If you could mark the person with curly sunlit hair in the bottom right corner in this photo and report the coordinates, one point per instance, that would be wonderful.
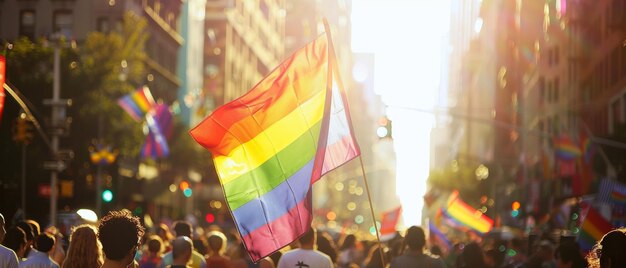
(609, 251)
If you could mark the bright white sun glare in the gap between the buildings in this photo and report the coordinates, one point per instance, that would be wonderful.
(408, 39)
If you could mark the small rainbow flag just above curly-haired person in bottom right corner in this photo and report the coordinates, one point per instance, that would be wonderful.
(594, 226)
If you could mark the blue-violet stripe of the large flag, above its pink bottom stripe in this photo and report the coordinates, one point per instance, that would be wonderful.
(288, 194)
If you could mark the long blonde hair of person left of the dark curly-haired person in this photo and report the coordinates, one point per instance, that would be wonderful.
(85, 249)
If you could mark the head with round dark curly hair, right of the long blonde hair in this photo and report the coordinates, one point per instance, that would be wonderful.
(120, 234)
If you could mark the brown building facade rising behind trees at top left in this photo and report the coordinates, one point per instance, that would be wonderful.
(75, 19)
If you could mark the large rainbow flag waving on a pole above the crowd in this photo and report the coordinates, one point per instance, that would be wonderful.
(271, 144)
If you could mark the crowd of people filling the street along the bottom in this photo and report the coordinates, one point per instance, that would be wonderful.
(119, 240)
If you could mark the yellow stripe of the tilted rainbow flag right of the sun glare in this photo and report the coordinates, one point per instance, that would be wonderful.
(464, 214)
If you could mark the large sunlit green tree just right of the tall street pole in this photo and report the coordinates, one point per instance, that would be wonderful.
(112, 65)
